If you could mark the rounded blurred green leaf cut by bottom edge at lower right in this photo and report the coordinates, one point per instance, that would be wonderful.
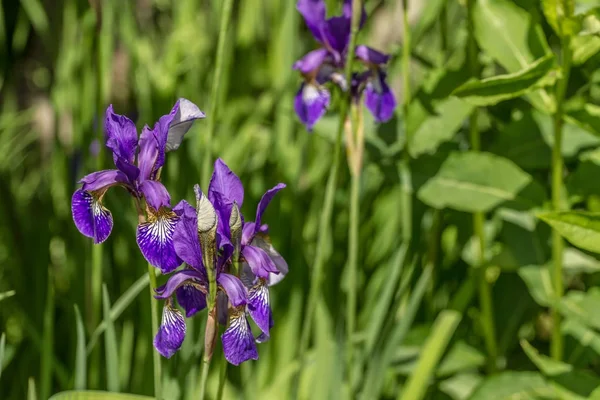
(511, 385)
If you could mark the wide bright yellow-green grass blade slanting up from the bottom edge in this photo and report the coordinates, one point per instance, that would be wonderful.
(441, 333)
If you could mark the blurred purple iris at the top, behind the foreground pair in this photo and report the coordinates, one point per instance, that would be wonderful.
(327, 64)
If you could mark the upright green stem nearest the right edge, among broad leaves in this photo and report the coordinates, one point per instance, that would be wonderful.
(557, 346)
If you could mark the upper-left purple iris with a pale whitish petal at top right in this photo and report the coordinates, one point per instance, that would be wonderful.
(141, 179)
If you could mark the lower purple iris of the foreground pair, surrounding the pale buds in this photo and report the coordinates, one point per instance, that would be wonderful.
(237, 244)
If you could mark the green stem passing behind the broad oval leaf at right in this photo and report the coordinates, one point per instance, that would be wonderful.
(484, 289)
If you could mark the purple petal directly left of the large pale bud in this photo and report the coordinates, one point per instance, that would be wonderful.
(185, 237)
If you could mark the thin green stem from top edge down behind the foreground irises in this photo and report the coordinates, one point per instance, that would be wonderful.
(215, 90)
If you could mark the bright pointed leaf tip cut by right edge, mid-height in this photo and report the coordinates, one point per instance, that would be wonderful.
(580, 228)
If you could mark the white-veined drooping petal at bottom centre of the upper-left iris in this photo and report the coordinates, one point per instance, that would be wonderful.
(155, 239)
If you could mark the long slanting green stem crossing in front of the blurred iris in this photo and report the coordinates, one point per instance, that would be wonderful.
(314, 294)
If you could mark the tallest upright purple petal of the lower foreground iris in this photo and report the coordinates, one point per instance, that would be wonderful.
(225, 188)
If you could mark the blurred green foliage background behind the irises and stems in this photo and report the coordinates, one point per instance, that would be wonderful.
(62, 62)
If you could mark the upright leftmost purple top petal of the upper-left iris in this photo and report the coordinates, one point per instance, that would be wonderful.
(121, 135)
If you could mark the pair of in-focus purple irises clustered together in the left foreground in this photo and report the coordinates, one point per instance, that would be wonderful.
(228, 262)
